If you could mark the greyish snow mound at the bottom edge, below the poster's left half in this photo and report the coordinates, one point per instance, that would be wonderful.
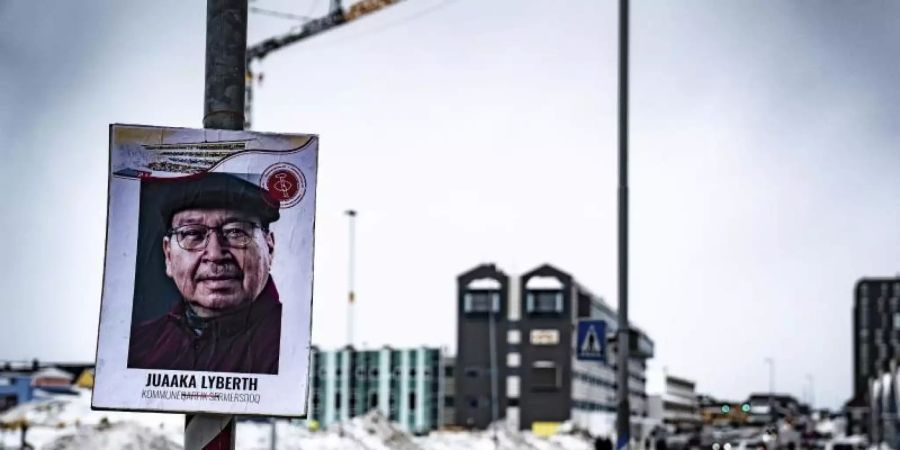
(113, 437)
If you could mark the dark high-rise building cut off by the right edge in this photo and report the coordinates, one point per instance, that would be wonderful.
(876, 342)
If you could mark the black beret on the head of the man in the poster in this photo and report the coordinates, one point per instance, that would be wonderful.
(216, 190)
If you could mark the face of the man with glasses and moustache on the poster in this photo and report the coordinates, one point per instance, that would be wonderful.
(219, 276)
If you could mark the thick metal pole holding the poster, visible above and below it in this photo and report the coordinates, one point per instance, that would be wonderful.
(223, 108)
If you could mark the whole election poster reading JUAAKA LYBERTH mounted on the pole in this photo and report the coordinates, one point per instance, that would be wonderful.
(208, 275)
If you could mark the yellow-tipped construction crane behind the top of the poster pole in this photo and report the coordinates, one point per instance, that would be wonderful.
(336, 17)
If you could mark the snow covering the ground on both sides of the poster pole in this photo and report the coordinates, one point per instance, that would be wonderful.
(64, 422)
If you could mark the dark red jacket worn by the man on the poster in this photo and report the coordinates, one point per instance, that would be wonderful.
(244, 341)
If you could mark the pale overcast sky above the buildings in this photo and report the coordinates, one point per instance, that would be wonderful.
(765, 154)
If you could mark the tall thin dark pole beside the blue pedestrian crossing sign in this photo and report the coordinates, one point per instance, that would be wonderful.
(623, 407)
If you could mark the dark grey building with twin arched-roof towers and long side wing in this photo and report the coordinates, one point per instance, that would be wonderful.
(516, 356)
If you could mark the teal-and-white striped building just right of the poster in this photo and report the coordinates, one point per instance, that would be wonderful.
(404, 384)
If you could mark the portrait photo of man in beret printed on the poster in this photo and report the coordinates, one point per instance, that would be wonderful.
(204, 296)
